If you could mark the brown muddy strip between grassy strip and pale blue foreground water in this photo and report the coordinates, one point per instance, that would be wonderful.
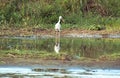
(60, 63)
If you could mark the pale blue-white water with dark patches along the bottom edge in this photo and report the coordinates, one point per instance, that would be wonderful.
(56, 72)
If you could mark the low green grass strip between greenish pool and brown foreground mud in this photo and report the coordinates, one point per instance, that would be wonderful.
(53, 56)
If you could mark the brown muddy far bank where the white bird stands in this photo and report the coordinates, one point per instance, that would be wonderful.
(20, 32)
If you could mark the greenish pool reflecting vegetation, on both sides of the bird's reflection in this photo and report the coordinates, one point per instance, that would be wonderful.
(77, 47)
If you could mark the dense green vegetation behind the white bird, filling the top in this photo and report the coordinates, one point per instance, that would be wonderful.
(90, 14)
